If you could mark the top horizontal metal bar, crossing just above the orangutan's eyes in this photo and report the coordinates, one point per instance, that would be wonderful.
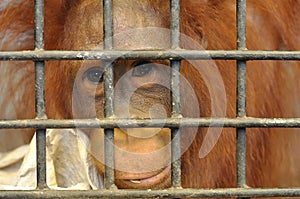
(40, 55)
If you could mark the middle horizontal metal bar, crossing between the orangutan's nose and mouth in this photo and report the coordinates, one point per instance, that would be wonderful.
(246, 122)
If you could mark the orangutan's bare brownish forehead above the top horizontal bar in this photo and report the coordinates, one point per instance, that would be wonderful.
(136, 26)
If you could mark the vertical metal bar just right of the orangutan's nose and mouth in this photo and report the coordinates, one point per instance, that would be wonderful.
(175, 95)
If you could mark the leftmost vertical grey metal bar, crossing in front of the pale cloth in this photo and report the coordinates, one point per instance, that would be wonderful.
(40, 97)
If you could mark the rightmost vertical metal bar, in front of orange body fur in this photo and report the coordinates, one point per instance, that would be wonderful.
(241, 93)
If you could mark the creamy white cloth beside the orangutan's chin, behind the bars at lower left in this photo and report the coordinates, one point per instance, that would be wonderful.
(69, 165)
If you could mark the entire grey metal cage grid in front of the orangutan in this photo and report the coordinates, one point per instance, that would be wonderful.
(39, 55)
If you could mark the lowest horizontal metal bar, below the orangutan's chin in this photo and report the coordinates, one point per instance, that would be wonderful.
(166, 193)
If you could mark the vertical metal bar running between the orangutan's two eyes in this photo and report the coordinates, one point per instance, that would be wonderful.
(109, 178)
